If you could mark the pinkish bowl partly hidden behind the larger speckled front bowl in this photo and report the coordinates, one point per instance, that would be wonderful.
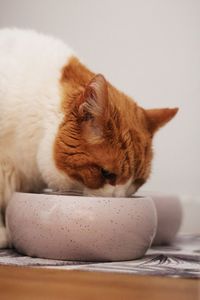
(169, 213)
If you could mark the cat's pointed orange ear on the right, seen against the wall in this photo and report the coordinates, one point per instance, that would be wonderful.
(157, 118)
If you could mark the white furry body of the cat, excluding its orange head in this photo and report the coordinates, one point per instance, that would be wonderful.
(30, 68)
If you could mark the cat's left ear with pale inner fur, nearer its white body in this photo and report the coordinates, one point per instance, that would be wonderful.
(94, 99)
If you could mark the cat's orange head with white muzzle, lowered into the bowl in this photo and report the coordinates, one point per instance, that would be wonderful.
(105, 140)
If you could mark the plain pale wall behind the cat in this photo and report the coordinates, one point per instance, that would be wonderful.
(149, 49)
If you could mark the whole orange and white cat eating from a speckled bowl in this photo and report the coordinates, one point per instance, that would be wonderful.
(64, 127)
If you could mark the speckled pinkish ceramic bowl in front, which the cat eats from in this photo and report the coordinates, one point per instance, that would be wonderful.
(81, 228)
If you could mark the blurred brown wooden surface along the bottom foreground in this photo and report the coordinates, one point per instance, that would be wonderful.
(28, 283)
